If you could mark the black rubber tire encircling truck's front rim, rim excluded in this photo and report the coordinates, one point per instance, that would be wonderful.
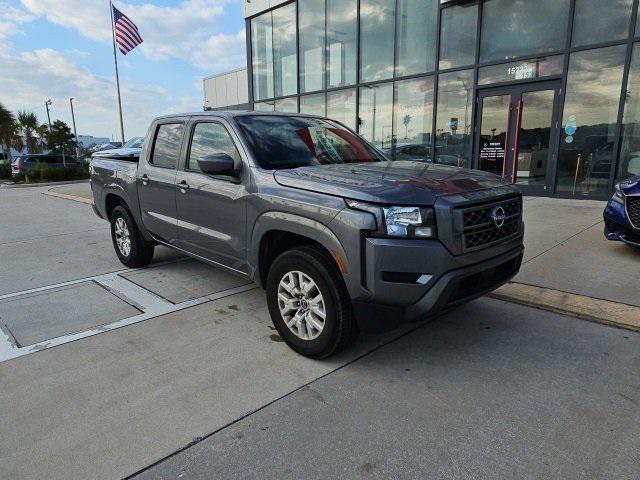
(340, 329)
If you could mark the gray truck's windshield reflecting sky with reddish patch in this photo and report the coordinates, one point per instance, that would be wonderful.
(289, 142)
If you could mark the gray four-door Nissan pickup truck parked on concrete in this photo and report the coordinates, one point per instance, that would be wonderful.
(341, 238)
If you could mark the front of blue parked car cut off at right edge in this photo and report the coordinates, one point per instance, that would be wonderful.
(622, 214)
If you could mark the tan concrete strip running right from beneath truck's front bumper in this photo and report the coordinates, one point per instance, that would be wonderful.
(595, 310)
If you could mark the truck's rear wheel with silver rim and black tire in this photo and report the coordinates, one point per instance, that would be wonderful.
(131, 248)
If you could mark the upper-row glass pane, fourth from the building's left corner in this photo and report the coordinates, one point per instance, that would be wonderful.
(342, 34)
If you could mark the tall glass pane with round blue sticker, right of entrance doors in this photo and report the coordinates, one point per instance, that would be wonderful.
(589, 120)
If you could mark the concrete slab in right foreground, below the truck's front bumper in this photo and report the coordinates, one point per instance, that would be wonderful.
(492, 390)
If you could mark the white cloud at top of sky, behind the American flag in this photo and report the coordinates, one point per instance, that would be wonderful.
(186, 31)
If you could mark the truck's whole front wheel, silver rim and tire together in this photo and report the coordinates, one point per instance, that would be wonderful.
(309, 303)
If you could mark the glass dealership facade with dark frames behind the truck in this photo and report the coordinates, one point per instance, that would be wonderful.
(545, 93)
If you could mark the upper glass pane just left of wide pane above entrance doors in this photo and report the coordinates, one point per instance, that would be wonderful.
(458, 35)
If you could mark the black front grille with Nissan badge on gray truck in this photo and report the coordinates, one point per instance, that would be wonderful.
(481, 229)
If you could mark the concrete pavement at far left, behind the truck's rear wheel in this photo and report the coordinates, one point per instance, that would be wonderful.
(66, 242)
